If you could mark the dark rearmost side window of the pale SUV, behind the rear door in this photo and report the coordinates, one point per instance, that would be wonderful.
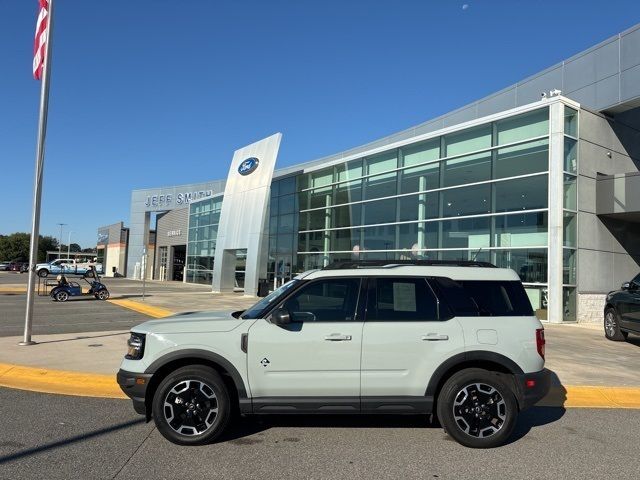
(483, 297)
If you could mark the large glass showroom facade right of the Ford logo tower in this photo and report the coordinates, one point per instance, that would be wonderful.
(480, 193)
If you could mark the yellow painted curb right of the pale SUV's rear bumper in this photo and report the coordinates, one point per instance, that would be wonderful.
(588, 396)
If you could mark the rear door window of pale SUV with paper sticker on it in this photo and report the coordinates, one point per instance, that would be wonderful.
(403, 300)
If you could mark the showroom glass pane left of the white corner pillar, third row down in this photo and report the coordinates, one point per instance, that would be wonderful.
(521, 194)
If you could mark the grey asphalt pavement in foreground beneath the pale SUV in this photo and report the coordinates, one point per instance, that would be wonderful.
(58, 437)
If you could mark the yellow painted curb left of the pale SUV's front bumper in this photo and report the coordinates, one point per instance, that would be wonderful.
(61, 382)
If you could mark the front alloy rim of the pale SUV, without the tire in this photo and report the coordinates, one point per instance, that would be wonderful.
(191, 407)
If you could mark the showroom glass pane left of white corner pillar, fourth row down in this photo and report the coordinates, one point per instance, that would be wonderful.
(521, 230)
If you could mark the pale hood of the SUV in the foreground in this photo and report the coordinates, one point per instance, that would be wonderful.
(191, 322)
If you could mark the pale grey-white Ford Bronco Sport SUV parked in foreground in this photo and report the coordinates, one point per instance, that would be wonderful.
(458, 339)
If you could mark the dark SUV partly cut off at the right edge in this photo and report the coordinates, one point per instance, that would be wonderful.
(622, 311)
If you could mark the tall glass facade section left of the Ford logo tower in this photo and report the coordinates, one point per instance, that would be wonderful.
(204, 217)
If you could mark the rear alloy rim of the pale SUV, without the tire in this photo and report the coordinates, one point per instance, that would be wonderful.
(479, 410)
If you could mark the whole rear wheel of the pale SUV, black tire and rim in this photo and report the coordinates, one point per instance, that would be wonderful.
(477, 408)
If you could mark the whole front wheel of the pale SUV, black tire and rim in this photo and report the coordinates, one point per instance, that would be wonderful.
(183, 406)
